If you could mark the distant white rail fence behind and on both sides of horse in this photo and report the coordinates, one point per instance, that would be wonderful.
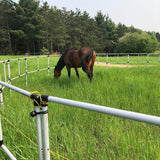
(48, 67)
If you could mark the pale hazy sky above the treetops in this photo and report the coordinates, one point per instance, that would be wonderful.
(142, 14)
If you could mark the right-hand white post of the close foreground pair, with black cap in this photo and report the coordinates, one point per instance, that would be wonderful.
(45, 127)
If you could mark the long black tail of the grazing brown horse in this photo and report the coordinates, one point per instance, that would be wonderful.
(85, 59)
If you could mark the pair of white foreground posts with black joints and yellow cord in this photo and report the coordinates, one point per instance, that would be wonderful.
(41, 108)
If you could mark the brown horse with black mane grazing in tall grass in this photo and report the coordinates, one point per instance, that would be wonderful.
(84, 57)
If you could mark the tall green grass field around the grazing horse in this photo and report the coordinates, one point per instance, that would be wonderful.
(80, 134)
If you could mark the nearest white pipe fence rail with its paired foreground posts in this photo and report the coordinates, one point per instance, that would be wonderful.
(97, 108)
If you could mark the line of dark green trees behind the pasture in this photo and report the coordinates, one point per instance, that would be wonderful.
(29, 27)
